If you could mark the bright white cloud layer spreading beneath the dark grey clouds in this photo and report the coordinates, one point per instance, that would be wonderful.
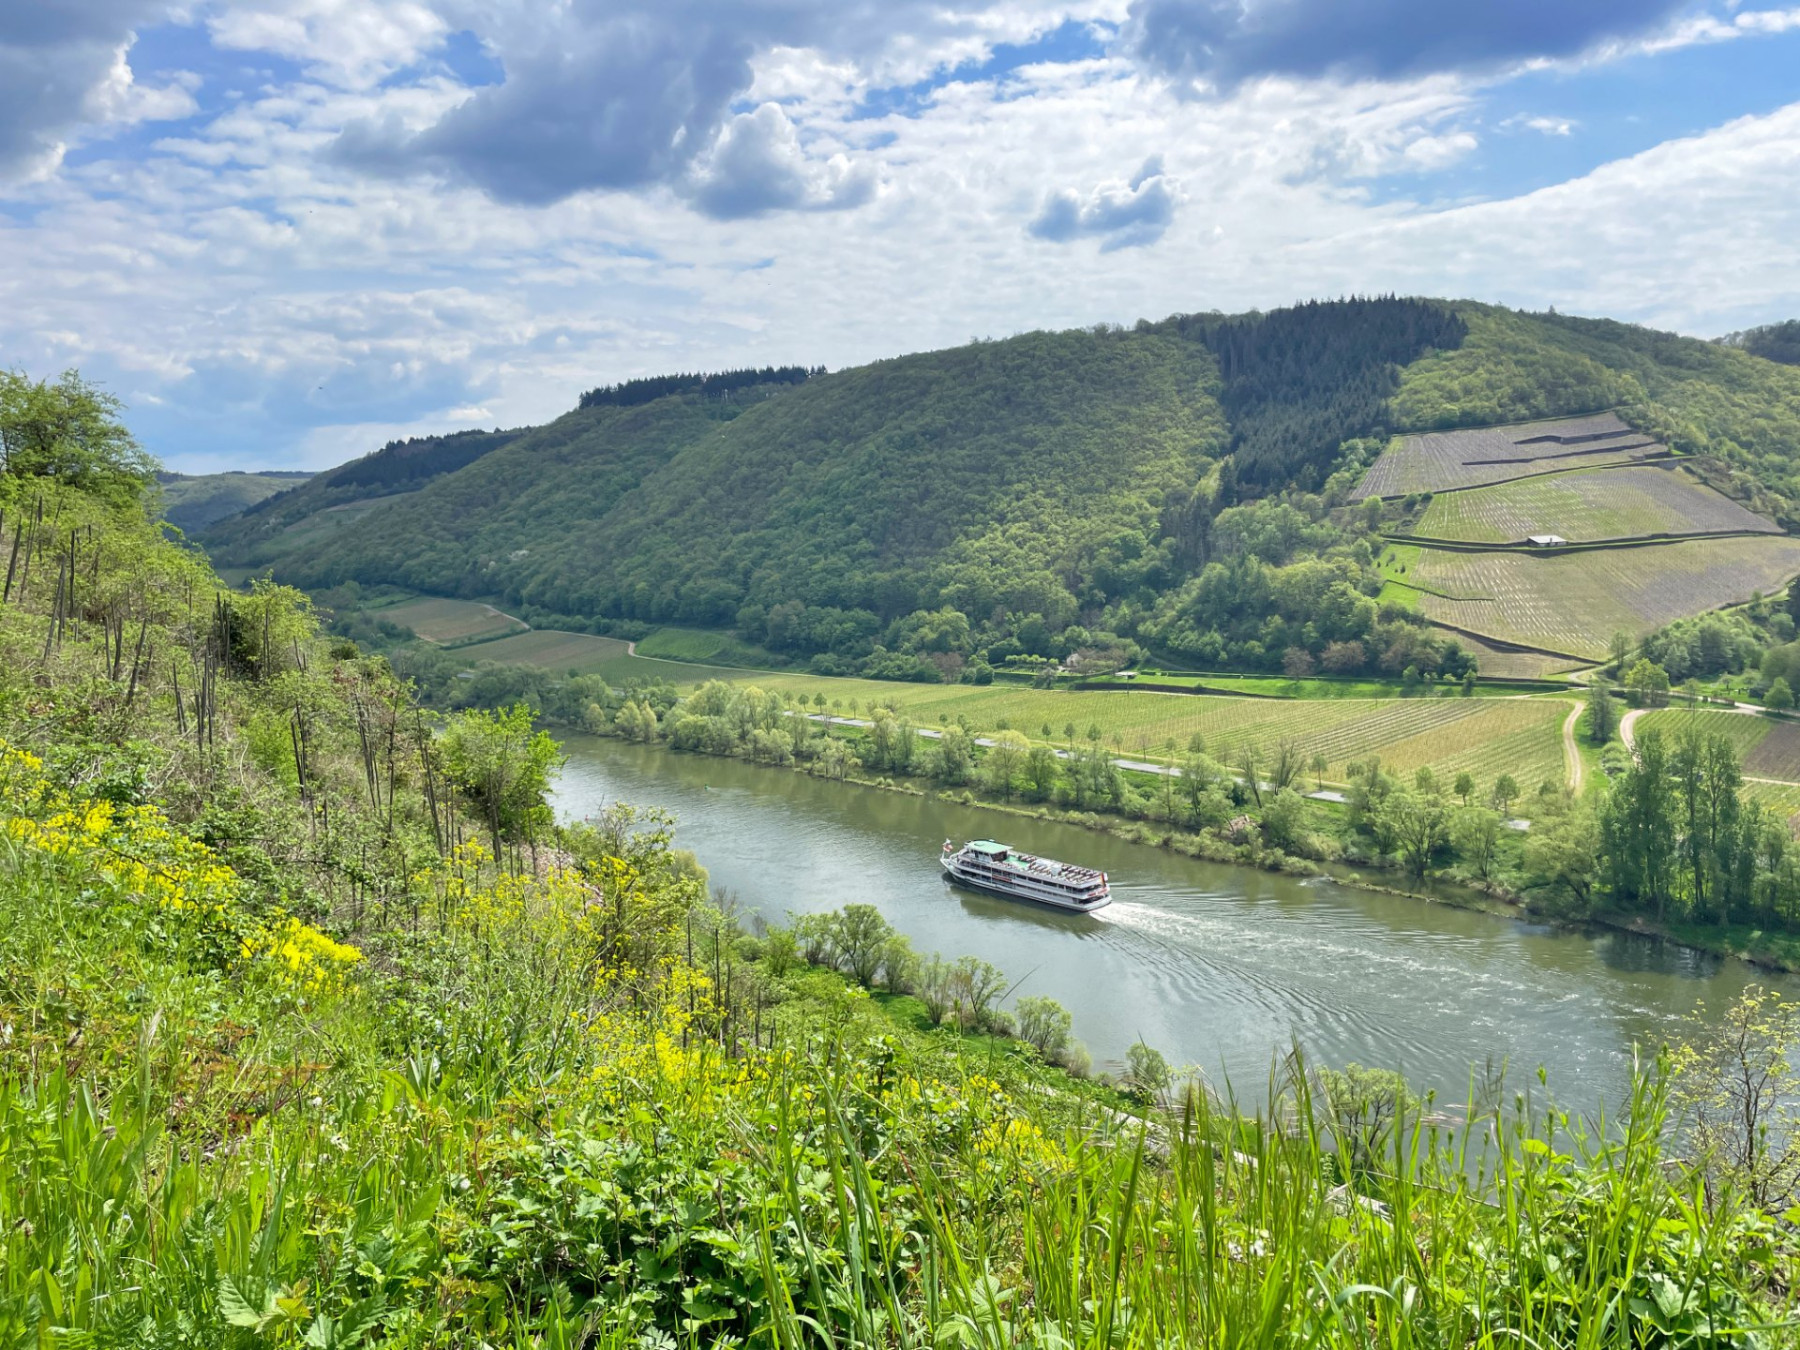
(271, 305)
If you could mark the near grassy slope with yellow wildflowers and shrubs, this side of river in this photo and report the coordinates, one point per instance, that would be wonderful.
(319, 1032)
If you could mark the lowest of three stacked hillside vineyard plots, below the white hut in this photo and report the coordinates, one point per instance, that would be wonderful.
(1574, 602)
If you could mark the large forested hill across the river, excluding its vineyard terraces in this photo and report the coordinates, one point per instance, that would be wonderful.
(1183, 485)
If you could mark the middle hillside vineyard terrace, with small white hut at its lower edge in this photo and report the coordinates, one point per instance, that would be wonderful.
(1594, 505)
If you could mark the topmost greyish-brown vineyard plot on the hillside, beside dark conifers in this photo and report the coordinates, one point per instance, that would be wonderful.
(1439, 462)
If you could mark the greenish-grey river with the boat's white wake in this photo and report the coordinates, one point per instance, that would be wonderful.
(1216, 966)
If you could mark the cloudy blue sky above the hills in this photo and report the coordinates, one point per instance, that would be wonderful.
(287, 231)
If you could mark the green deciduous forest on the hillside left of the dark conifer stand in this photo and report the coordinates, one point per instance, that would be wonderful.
(967, 478)
